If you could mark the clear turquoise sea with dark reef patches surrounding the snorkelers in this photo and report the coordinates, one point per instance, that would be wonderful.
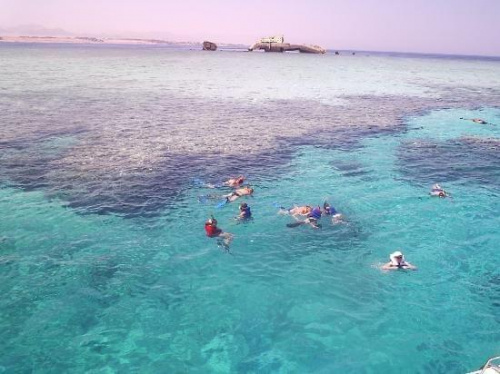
(107, 156)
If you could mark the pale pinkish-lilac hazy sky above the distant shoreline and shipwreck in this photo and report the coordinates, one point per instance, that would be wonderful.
(439, 26)
